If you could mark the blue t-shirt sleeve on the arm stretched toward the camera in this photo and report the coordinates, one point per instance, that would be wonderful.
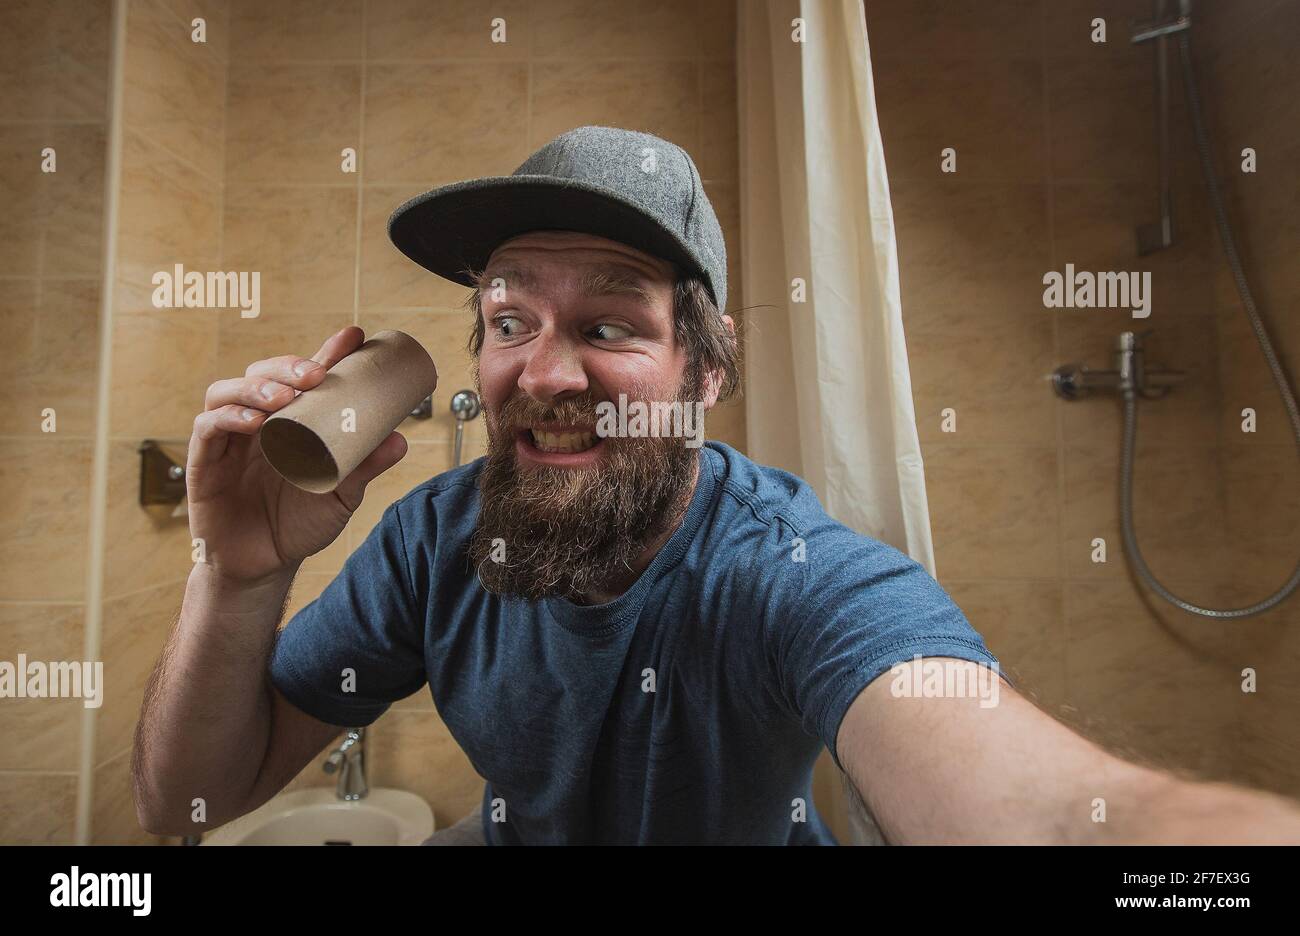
(851, 610)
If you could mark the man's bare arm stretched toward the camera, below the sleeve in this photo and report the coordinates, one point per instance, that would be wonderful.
(950, 770)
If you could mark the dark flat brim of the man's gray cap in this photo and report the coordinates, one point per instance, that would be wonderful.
(454, 229)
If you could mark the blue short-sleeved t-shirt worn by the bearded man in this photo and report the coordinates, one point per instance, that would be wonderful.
(691, 709)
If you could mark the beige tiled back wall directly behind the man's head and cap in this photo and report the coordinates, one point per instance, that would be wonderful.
(426, 98)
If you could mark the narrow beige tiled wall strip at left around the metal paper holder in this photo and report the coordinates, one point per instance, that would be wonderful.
(162, 361)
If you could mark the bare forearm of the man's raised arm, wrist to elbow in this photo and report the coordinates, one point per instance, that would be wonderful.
(206, 722)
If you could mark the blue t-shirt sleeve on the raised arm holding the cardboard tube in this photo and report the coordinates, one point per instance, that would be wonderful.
(359, 647)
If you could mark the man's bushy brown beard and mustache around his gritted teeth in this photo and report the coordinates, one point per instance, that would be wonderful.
(570, 532)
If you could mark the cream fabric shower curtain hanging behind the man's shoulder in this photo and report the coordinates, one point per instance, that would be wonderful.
(827, 385)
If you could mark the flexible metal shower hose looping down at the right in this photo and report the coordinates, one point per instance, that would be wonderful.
(1126, 471)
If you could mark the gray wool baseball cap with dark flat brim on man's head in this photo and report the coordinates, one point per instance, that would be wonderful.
(629, 187)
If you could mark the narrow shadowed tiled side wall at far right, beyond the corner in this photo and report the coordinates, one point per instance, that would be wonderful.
(1250, 80)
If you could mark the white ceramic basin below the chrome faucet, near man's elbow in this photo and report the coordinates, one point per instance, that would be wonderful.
(318, 817)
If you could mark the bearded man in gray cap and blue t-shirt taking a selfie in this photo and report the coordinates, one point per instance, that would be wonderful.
(634, 639)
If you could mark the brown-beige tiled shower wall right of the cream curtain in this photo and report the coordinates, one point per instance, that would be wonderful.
(1058, 164)
